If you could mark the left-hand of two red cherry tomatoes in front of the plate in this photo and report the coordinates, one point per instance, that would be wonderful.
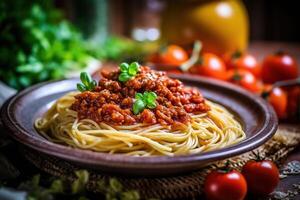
(225, 186)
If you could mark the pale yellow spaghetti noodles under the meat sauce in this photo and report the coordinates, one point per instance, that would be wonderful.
(212, 130)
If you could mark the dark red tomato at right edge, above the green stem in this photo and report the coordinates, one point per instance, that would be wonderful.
(279, 67)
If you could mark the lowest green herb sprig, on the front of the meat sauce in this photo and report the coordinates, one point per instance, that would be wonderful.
(142, 101)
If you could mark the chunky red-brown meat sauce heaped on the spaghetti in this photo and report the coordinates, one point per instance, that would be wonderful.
(111, 101)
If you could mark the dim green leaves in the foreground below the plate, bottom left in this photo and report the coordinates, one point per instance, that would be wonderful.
(58, 188)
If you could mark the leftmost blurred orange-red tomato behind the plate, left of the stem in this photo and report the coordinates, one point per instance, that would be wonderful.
(171, 55)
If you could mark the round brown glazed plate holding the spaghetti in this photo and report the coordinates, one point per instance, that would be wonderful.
(257, 117)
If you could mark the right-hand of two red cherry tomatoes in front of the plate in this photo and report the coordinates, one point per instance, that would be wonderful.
(262, 176)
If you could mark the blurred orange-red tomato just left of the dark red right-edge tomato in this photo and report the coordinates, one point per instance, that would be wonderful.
(245, 61)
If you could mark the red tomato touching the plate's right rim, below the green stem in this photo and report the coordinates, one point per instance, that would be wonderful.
(278, 98)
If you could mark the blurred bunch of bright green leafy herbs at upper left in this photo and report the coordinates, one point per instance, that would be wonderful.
(37, 44)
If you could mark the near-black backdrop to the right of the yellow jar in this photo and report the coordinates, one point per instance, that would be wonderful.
(274, 20)
